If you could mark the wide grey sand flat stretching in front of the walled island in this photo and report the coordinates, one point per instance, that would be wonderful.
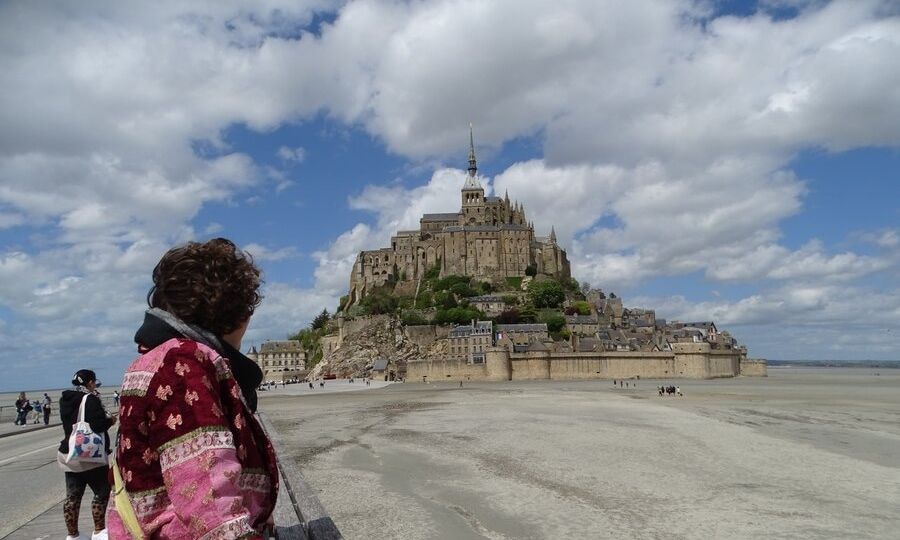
(804, 453)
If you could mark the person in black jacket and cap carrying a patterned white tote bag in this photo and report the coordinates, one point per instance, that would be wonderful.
(81, 475)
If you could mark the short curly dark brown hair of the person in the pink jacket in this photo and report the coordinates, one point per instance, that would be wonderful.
(213, 284)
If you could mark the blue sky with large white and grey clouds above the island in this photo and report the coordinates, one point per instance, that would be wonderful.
(732, 161)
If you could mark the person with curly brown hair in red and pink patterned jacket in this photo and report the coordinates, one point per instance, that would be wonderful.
(193, 459)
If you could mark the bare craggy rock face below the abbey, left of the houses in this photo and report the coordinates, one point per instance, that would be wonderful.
(371, 338)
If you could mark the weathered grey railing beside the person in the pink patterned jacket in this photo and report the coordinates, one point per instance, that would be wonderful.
(298, 512)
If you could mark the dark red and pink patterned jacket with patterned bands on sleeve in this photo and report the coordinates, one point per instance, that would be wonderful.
(194, 460)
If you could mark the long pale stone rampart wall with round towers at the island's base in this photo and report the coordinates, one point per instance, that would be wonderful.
(686, 361)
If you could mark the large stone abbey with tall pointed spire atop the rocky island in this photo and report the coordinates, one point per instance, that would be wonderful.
(489, 238)
